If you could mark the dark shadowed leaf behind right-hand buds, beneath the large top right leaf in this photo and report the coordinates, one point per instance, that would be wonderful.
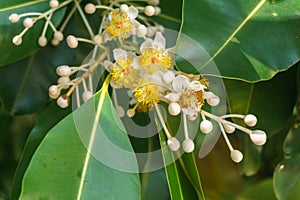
(262, 99)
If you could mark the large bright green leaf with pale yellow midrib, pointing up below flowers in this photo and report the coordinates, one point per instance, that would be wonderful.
(66, 167)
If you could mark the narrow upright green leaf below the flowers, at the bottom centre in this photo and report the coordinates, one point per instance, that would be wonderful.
(181, 170)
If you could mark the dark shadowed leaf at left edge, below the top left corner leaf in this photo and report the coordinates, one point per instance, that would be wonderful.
(24, 84)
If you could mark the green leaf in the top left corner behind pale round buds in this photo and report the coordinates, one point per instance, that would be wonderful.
(9, 52)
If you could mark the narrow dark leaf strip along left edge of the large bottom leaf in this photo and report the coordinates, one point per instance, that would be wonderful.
(50, 117)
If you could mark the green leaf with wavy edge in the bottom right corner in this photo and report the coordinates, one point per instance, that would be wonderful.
(287, 173)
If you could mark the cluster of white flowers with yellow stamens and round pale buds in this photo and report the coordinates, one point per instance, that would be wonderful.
(142, 64)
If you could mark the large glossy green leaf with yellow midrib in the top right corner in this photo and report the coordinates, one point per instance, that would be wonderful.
(249, 40)
